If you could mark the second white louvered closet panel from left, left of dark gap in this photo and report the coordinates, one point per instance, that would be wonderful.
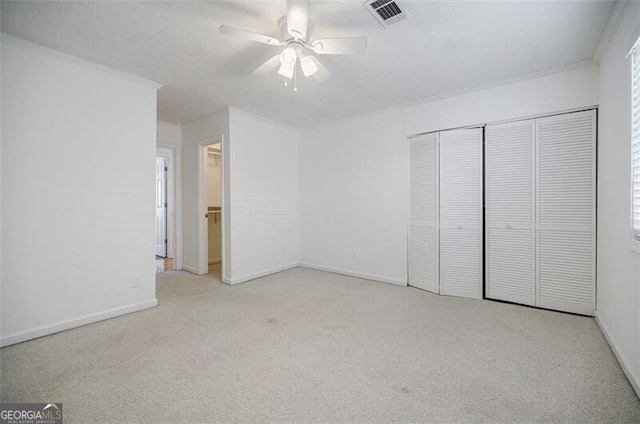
(461, 213)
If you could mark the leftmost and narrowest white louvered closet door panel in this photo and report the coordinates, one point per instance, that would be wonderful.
(423, 213)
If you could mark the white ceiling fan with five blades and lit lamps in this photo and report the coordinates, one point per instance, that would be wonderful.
(298, 48)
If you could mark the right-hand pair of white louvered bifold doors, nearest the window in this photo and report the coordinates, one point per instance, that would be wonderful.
(540, 212)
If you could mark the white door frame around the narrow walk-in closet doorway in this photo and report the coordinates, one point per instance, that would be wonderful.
(202, 225)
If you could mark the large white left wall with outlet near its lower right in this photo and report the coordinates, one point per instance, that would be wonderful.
(78, 153)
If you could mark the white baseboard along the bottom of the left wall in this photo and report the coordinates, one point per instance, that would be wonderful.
(73, 323)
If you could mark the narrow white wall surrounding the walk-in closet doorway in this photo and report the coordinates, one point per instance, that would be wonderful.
(204, 130)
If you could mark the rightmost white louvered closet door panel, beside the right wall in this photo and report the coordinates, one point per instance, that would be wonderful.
(566, 212)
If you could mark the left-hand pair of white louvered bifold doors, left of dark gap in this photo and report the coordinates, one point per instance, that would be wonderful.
(445, 212)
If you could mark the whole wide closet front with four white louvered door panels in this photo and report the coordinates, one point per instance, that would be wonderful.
(534, 242)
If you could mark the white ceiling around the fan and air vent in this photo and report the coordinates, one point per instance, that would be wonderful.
(445, 47)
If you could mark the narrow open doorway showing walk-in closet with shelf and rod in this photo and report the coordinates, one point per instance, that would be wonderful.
(210, 205)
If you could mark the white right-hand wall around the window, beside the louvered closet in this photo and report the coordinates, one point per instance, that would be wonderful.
(618, 290)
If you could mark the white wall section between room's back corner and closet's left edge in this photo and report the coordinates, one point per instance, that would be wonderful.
(353, 197)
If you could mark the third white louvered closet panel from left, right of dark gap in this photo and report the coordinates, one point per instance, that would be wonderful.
(509, 212)
